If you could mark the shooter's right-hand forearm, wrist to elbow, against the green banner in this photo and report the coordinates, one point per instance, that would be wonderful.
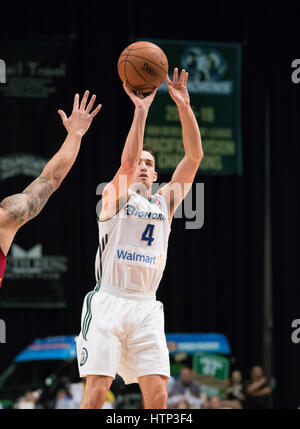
(190, 133)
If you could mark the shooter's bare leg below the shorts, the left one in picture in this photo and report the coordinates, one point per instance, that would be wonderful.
(96, 388)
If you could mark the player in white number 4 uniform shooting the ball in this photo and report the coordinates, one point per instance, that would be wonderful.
(122, 326)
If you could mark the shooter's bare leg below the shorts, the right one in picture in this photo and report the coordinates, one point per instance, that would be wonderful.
(154, 391)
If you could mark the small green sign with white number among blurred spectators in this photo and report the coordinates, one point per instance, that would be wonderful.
(212, 372)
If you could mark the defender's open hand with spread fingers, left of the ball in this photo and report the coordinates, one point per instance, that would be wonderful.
(81, 118)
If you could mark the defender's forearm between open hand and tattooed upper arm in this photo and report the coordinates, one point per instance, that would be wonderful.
(61, 163)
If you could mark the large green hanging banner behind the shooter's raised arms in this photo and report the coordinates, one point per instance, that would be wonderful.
(214, 85)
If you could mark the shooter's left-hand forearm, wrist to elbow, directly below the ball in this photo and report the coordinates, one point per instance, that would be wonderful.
(134, 141)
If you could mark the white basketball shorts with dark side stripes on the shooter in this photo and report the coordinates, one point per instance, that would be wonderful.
(122, 334)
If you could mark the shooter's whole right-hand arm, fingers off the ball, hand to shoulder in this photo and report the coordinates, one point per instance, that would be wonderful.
(183, 177)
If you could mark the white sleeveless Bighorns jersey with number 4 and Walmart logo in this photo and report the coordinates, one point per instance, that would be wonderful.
(133, 245)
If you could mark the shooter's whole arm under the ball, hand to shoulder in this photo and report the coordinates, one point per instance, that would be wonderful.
(115, 193)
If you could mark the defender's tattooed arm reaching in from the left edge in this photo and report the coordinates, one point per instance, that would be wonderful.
(18, 209)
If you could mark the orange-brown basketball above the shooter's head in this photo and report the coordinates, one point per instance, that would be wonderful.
(143, 66)
